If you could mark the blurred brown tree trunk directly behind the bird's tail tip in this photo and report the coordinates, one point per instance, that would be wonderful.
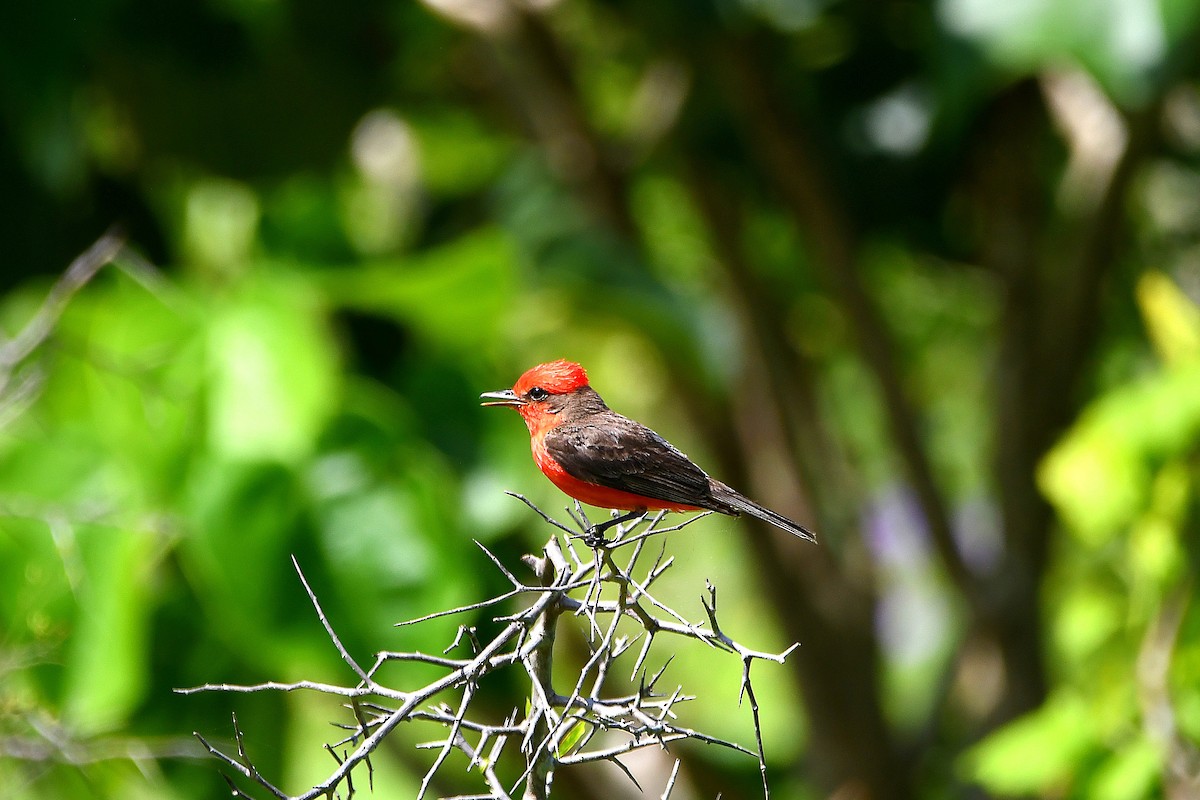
(850, 747)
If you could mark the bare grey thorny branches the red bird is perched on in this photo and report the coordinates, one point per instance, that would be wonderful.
(604, 585)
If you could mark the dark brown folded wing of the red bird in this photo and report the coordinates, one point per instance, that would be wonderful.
(614, 452)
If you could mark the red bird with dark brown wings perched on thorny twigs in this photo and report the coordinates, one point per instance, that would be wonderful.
(607, 460)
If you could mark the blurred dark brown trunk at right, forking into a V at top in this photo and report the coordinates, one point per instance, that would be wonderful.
(1048, 329)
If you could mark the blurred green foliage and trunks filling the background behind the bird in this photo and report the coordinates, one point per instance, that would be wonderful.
(746, 218)
